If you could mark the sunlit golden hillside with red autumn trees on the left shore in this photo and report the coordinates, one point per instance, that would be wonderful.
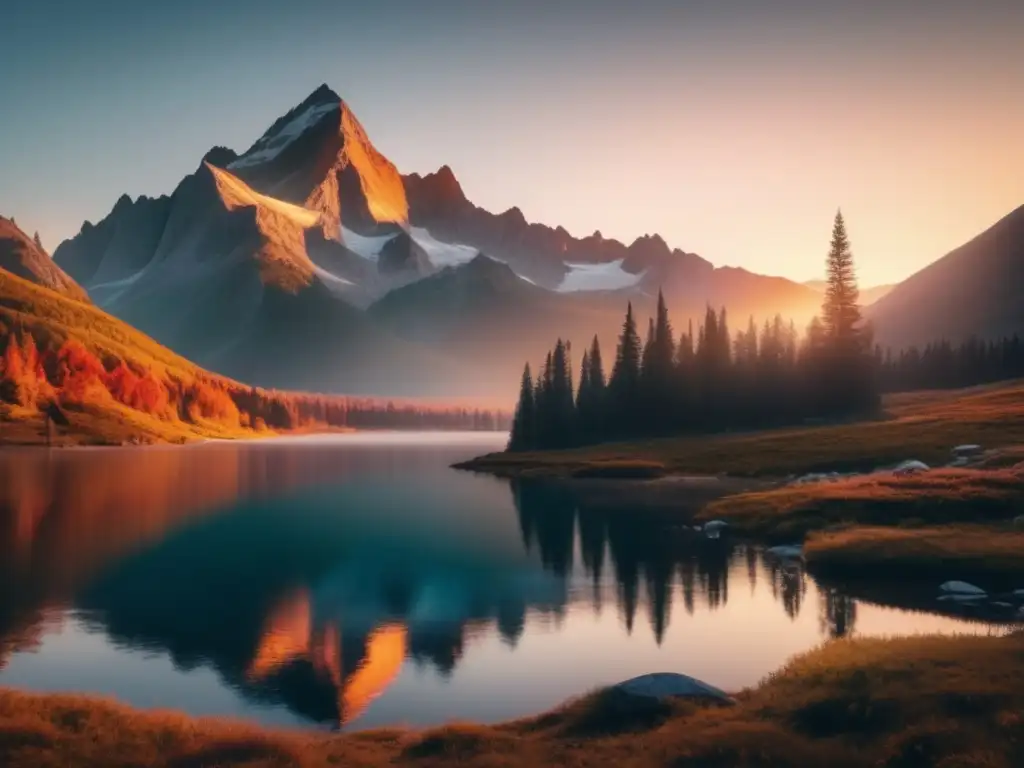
(115, 385)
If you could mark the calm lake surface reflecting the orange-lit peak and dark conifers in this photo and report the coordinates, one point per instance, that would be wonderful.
(357, 581)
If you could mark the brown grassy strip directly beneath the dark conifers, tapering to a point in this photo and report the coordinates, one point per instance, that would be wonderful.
(924, 426)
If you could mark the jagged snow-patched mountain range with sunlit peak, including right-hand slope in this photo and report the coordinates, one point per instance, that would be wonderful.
(310, 263)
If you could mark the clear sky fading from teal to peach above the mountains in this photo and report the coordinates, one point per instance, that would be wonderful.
(734, 129)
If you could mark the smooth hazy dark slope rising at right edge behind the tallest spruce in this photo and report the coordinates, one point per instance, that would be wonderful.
(976, 290)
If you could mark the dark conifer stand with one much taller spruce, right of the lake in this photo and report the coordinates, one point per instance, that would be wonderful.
(708, 379)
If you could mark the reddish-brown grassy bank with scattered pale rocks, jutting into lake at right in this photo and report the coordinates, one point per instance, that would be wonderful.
(952, 524)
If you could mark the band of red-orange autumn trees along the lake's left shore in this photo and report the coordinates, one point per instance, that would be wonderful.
(69, 374)
